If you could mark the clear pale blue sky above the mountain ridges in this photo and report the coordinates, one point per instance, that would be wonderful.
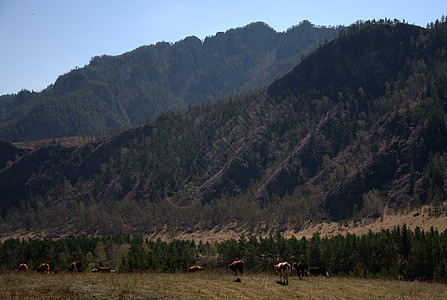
(42, 39)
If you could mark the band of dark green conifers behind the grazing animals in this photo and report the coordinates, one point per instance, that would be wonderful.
(413, 255)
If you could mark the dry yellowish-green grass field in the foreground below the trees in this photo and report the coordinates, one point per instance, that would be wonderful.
(206, 285)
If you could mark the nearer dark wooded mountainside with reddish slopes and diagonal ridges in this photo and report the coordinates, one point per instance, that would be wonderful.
(356, 127)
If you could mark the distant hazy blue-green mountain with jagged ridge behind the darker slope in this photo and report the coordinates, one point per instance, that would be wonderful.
(127, 90)
